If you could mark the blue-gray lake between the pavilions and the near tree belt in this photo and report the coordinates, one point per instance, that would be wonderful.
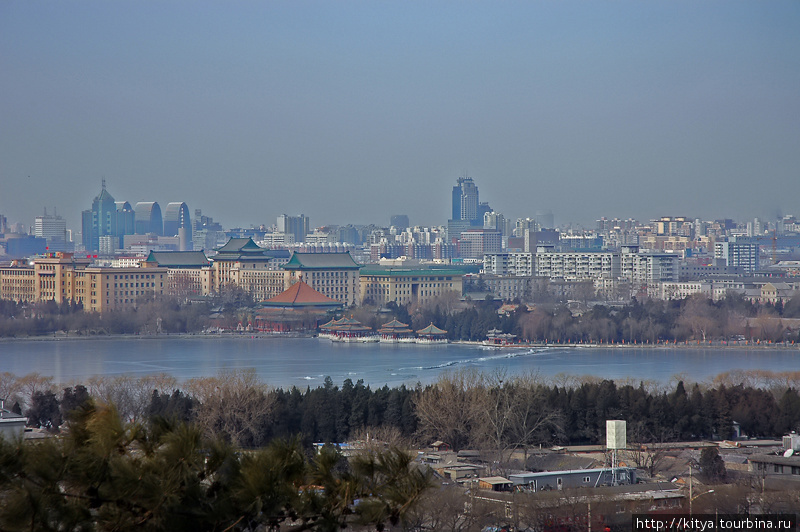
(286, 362)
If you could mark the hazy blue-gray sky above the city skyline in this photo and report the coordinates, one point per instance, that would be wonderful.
(352, 111)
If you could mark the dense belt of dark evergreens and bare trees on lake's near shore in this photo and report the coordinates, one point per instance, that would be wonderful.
(465, 409)
